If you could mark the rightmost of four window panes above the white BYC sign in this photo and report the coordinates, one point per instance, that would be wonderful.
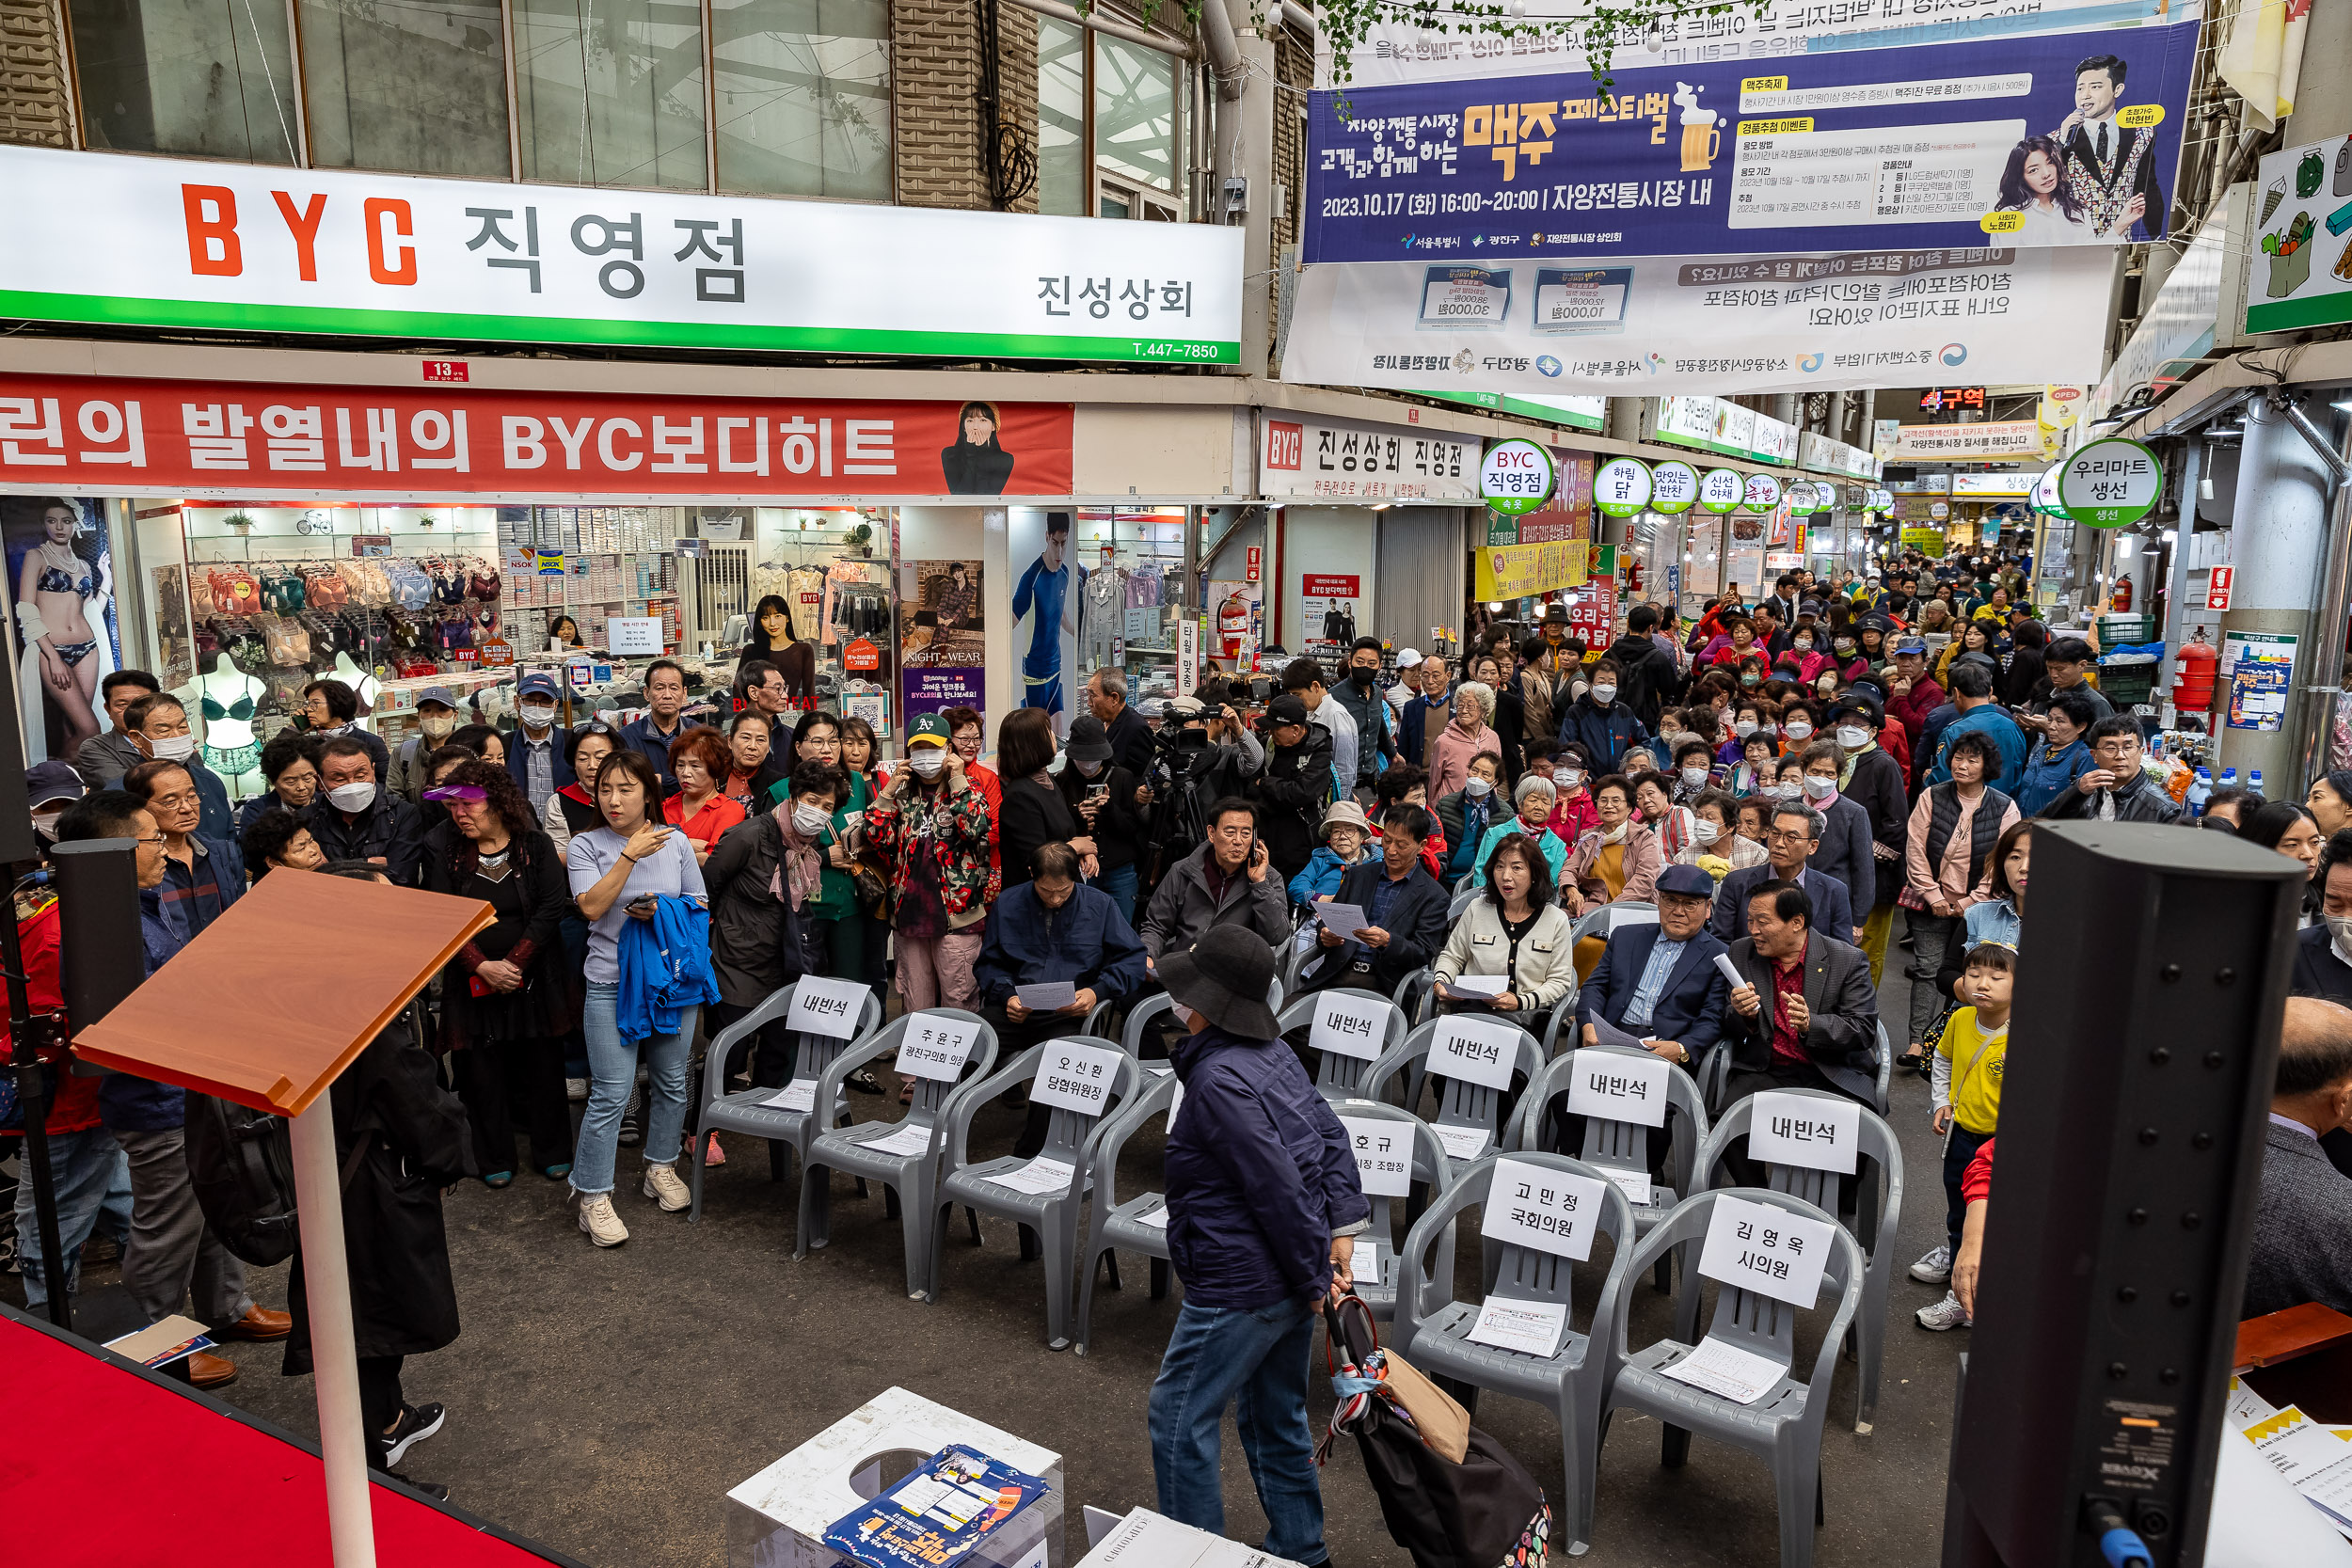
(803, 98)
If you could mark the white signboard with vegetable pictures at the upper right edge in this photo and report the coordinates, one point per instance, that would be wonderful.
(2299, 257)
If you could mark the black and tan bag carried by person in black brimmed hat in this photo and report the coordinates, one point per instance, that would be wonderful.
(1450, 1494)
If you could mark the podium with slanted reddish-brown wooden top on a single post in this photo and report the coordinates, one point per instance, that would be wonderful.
(267, 1010)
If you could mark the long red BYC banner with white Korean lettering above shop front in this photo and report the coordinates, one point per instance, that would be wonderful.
(206, 438)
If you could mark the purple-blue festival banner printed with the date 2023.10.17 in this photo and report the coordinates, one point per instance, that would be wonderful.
(2054, 140)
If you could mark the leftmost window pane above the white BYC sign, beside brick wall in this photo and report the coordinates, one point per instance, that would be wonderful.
(208, 79)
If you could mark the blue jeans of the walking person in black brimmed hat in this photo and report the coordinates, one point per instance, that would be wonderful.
(1257, 1358)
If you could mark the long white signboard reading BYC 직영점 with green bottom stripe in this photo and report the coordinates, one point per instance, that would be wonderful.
(213, 246)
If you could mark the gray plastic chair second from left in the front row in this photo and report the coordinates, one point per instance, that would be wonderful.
(909, 1179)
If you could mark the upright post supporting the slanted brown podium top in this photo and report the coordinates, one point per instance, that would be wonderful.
(335, 1360)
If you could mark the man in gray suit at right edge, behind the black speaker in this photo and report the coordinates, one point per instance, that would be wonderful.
(2304, 1226)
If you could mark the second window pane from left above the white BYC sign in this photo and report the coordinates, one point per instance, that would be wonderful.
(415, 88)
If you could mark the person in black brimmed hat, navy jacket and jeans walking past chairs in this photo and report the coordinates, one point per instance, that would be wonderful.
(1264, 1207)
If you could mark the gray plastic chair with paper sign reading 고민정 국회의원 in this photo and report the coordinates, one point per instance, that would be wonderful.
(1577, 1376)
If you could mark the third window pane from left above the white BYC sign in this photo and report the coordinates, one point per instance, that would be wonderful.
(610, 98)
